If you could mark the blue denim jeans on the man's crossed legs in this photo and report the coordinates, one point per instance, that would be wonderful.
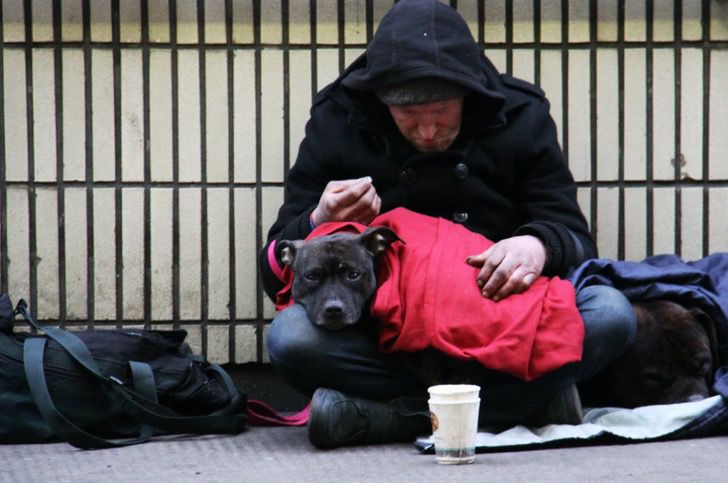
(308, 357)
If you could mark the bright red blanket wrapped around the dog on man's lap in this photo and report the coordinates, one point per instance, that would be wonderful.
(428, 297)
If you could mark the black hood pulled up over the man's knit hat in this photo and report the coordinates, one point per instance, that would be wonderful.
(421, 38)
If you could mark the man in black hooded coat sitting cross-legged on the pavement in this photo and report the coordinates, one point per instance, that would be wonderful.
(423, 120)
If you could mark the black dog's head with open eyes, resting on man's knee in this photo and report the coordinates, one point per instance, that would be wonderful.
(334, 275)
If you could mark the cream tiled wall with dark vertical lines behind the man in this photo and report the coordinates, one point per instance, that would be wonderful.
(144, 143)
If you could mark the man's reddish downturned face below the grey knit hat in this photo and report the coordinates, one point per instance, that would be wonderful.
(430, 127)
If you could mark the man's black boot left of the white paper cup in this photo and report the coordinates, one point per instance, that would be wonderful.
(336, 420)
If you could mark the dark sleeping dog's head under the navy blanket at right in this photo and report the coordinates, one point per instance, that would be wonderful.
(672, 359)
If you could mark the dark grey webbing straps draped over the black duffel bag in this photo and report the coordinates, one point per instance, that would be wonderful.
(137, 402)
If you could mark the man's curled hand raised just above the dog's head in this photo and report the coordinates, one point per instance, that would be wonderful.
(348, 200)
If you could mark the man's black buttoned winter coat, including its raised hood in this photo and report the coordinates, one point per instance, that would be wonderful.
(504, 175)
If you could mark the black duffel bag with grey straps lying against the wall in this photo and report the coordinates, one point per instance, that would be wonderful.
(108, 388)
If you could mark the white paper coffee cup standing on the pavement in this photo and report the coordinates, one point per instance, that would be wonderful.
(454, 412)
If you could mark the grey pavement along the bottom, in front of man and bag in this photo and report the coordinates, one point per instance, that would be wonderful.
(283, 454)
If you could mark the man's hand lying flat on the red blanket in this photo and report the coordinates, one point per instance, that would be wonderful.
(510, 266)
